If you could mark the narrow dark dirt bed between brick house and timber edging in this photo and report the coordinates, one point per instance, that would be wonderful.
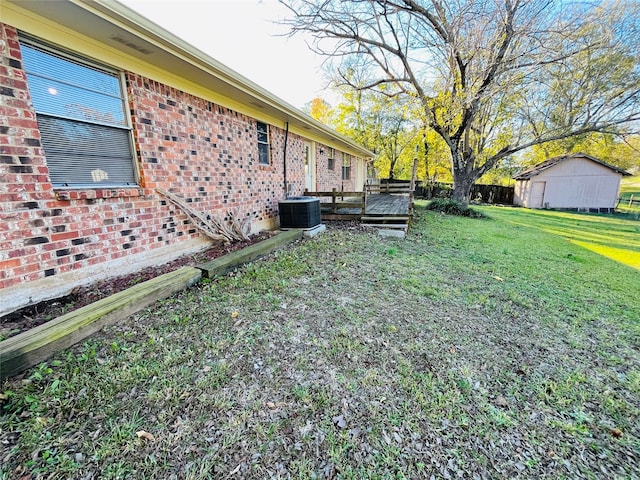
(34, 315)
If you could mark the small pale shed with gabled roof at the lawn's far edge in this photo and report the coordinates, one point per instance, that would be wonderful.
(575, 181)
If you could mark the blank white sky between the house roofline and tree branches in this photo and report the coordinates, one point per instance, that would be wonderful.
(241, 34)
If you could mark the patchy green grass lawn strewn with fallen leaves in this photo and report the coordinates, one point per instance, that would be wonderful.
(505, 347)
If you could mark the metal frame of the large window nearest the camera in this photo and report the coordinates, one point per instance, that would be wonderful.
(66, 55)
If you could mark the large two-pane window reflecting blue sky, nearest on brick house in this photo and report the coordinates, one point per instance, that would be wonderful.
(80, 109)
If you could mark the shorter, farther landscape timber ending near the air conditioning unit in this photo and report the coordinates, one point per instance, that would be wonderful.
(222, 265)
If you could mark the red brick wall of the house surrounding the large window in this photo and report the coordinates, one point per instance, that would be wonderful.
(205, 153)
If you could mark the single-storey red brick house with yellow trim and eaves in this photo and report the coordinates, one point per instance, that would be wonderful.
(99, 108)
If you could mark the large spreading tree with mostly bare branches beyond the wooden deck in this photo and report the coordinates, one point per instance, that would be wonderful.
(492, 77)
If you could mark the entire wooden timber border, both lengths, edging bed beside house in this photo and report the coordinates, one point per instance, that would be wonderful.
(37, 344)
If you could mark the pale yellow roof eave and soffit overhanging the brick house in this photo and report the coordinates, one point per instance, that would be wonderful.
(116, 25)
